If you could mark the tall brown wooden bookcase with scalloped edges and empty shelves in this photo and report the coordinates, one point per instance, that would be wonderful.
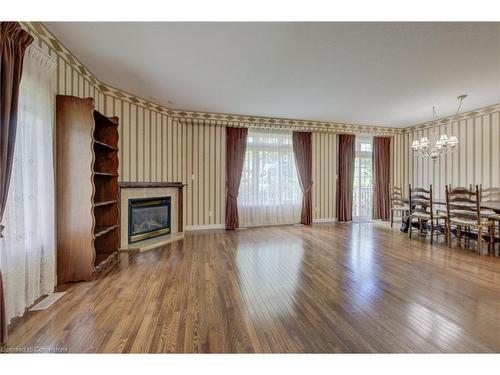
(88, 211)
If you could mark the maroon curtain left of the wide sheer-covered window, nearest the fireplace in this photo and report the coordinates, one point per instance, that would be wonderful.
(236, 145)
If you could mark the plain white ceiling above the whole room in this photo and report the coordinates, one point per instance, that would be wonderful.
(388, 74)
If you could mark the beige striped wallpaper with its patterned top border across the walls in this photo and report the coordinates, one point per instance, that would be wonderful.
(158, 144)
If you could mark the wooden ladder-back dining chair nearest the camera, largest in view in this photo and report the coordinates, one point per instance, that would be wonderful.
(463, 207)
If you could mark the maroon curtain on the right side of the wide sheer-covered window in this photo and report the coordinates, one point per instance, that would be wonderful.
(302, 151)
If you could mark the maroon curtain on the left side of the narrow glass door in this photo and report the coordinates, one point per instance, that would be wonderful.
(345, 180)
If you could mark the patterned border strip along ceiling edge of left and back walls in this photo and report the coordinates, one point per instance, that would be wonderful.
(46, 37)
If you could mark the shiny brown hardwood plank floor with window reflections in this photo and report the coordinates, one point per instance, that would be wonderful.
(325, 288)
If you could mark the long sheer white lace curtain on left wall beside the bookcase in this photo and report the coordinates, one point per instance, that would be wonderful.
(27, 253)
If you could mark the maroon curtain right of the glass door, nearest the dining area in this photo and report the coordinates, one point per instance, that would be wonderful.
(381, 176)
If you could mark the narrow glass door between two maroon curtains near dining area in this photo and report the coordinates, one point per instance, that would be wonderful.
(363, 181)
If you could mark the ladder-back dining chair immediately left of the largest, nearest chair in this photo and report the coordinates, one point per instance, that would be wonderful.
(421, 208)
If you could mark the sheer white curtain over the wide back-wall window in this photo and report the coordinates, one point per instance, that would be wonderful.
(269, 190)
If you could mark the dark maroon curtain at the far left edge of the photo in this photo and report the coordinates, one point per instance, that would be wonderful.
(13, 44)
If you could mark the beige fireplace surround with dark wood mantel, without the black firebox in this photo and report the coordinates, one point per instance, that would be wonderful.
(133, 190)
